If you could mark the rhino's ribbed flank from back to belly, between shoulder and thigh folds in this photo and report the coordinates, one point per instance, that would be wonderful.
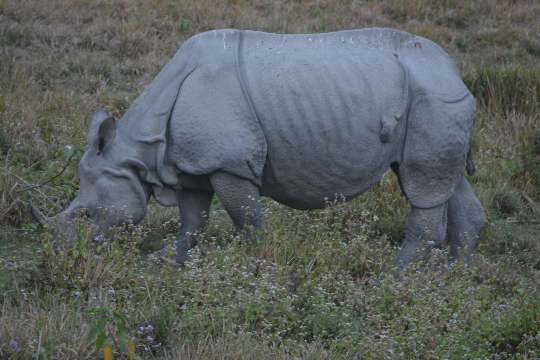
(320, 99)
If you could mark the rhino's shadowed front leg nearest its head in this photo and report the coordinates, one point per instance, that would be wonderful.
(194, 210)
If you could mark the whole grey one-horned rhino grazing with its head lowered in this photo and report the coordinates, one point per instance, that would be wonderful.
(297, 118)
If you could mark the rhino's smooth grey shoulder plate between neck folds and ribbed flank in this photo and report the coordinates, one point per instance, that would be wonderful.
(212, 126)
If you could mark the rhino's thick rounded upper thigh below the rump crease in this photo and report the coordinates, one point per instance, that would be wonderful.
(435, 149)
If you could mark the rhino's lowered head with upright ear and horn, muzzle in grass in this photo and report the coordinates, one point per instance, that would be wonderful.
(111, 192)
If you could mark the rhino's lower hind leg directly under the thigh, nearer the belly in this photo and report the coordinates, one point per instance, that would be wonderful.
(426, 228)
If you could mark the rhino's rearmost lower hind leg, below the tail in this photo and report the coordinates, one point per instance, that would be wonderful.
(466, 218)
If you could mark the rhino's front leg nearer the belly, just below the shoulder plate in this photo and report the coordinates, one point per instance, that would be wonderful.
(241, 199)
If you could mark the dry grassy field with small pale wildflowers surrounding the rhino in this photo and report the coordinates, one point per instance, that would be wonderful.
(319, 284)
